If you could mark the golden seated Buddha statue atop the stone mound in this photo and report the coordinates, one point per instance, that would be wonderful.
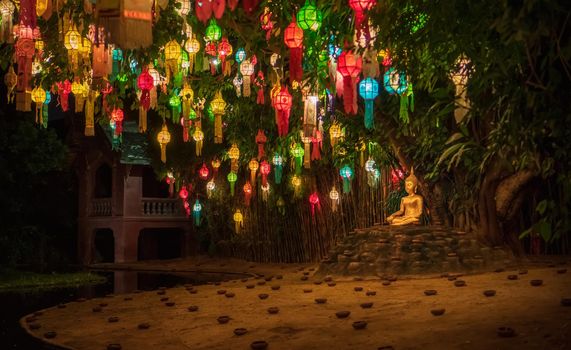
(410, 206)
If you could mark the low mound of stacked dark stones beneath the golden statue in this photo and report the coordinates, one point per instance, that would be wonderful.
(383, 249)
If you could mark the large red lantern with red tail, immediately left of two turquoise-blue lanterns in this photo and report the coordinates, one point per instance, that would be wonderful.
(349, 66)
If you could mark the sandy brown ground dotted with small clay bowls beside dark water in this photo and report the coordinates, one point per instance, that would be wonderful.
(399, 317)
